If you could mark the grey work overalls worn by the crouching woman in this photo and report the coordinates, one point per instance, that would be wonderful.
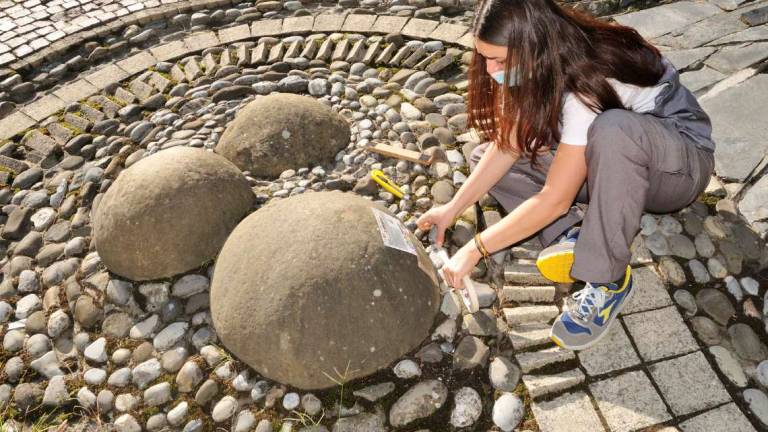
(658, 161)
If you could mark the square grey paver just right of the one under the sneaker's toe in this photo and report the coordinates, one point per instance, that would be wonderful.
(660, 334)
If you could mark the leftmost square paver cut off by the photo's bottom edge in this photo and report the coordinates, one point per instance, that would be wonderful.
(572, 412)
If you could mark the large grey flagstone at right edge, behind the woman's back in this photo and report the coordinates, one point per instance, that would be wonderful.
(737, 123)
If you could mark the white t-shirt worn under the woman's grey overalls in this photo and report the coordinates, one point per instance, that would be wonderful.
(576, 117)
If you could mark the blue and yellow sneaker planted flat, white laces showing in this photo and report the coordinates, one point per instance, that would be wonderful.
(595, 308)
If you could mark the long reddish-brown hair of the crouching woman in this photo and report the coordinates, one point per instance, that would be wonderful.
(556, 50)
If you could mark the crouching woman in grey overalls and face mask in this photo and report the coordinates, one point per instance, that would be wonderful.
(576, 110)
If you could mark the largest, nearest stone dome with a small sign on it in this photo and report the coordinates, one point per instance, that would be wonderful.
(306, 287)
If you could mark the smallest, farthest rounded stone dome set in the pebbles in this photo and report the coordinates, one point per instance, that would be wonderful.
(283, 131)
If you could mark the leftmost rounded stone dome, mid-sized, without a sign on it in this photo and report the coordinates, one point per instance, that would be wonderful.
(169, 213)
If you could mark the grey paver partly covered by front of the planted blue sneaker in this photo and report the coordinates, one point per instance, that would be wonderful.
(614, 352)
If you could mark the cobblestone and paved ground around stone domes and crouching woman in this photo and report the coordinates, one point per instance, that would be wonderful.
(90, 88)
